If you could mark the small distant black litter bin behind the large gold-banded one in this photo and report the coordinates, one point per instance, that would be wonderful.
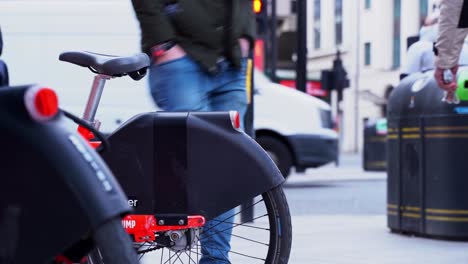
(375, 140)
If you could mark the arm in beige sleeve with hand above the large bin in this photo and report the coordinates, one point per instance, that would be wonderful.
(449, 42)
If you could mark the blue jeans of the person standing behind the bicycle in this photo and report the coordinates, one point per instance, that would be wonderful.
(182, 85)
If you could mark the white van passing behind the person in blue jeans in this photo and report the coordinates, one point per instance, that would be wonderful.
(295, 128)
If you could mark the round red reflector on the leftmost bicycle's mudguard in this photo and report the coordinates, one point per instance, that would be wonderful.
(41, 103)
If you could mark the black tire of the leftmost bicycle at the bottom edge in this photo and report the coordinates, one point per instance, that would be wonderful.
(113, 245)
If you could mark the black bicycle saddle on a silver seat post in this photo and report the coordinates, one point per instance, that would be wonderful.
(135, 66)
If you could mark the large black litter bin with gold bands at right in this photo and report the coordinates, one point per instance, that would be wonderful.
(427, 159)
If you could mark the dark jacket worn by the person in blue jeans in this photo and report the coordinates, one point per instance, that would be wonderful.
(198, 26)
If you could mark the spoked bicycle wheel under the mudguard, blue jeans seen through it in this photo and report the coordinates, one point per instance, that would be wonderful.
(265, 238)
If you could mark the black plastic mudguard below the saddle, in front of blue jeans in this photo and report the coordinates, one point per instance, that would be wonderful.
(188, 163)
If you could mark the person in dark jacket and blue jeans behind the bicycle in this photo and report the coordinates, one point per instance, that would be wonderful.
(199, 51)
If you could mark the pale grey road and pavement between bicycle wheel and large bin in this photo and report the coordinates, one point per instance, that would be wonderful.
(338, 216)
